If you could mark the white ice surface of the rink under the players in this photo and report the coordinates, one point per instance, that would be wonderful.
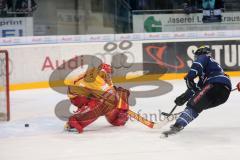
(214, 135)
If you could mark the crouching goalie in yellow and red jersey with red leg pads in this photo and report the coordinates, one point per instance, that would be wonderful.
(94, 95)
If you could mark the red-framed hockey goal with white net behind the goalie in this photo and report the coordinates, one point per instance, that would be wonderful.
(4, 86)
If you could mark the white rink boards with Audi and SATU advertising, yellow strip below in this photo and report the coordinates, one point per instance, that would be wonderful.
(135, 57)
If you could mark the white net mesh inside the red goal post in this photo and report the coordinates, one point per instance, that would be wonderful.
(3, 87)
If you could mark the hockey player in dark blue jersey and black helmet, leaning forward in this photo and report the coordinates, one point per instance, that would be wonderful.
(212, 89)
